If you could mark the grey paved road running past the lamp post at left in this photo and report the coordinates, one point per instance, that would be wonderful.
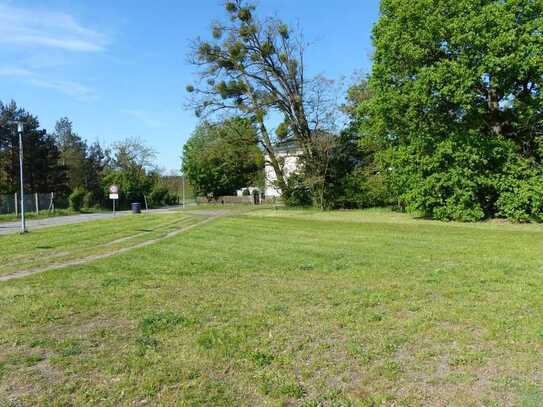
(33, 224)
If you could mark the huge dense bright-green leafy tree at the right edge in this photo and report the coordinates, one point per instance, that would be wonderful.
(455, 113)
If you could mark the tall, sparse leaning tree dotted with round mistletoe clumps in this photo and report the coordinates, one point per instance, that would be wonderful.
(252, 67)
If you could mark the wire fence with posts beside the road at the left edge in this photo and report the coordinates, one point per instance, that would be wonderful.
(34, 202)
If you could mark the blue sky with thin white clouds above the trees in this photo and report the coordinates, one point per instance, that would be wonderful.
(118, 68)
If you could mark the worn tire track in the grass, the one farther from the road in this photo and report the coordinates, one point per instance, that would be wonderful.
(83, 260)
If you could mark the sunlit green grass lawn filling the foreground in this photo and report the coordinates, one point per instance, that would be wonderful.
(279, 307)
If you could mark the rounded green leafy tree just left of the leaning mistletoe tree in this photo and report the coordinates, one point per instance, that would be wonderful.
(221, 158)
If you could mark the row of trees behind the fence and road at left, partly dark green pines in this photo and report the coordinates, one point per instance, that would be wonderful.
(65, 164)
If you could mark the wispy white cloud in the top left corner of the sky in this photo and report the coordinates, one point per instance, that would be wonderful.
(38, 28)
